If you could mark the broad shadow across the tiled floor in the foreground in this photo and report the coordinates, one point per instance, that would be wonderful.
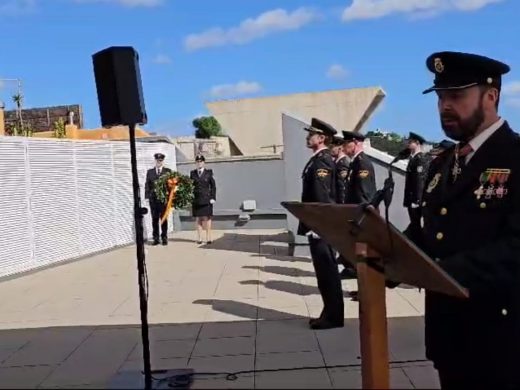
(111, 356)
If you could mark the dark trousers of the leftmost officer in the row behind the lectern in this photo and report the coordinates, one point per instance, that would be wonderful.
(329, 282)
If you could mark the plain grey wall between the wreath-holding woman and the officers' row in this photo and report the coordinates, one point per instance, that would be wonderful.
(239, 179)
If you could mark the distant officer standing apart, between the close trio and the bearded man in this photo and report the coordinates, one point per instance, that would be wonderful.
(415, 178)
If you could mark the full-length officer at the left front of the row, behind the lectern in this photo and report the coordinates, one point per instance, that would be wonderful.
(319, 185)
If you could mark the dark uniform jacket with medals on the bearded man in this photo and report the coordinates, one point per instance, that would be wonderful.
(475, 238)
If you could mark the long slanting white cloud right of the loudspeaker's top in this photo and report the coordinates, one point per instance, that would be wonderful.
(267, 23)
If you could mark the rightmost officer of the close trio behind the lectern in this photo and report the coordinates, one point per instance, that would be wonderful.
(361, 179)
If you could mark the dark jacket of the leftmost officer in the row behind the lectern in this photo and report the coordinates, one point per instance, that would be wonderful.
(319, 182)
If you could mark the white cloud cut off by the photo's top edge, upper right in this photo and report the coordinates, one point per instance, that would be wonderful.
(373, 9)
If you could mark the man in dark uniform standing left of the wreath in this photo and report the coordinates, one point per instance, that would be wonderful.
(157, 207)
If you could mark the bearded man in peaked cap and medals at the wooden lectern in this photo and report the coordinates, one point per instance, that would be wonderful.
(471, 214)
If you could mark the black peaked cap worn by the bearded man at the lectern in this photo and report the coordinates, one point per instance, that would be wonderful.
(457, 70)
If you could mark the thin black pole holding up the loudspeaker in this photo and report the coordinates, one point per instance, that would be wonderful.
(141, 267)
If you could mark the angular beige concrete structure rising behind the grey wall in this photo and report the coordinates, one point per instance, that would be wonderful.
(255, 124)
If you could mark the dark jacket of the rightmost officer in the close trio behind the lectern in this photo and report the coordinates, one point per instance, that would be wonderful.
(362, 180)
